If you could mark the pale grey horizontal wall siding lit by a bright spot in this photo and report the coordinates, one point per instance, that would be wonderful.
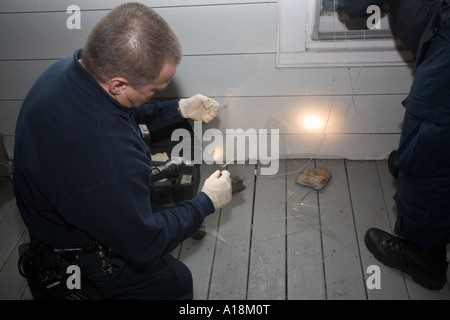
(230, 54)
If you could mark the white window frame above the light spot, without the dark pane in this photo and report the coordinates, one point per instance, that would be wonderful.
(296, 46)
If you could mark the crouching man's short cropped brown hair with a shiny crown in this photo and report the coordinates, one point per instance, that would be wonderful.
(131, 41)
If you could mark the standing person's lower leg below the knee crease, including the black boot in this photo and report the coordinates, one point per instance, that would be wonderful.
(423, 206)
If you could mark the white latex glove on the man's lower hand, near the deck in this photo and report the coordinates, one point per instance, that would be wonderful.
(218, 188)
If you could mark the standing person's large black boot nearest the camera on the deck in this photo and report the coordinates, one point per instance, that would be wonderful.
(427, 267)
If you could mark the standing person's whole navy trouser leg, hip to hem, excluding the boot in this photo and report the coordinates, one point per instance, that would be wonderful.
(423, 157)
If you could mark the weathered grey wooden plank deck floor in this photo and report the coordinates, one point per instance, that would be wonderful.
(276, 240)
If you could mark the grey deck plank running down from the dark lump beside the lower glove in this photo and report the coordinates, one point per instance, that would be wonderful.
(230, 270)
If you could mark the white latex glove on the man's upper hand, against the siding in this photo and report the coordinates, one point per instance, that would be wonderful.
(199, 108)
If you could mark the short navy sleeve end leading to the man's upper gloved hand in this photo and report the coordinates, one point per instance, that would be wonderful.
(158, 114)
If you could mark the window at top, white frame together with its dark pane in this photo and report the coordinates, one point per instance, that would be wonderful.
(316, 33)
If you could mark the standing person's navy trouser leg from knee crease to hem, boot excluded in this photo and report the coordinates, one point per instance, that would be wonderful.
(423, 192)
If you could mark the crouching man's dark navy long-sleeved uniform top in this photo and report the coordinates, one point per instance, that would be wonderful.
(82, 170)
